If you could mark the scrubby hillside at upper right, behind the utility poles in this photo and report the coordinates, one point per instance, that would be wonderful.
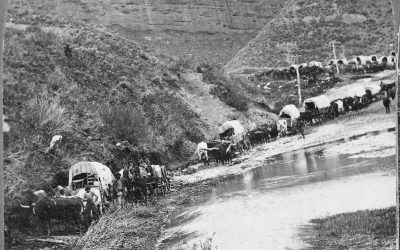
(363, 27)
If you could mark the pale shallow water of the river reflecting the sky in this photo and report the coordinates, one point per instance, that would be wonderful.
(266, 208)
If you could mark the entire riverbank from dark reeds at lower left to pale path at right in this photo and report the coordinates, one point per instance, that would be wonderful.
(140, 227)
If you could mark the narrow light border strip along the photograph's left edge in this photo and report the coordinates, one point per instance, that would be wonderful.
(3, 12)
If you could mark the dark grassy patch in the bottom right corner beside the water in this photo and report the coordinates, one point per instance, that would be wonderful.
(369, 229)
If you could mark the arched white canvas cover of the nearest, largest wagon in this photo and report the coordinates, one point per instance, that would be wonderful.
(102, 171)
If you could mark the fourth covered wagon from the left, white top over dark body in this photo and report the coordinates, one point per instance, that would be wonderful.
(319, 107)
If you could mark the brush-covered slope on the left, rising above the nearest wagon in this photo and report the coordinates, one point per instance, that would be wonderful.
(108, 91)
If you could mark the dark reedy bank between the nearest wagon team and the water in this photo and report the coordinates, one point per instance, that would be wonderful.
(139, 227)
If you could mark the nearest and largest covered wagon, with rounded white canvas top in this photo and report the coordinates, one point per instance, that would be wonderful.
(93, 174)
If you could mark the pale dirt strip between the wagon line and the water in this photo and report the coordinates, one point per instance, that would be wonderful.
(370, 119)
